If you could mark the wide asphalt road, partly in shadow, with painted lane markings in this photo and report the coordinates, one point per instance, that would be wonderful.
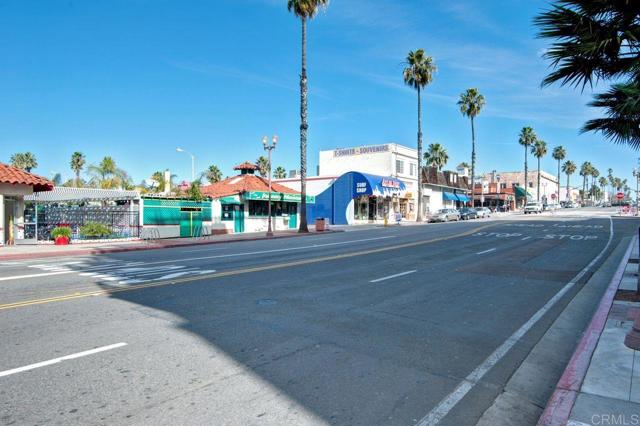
(375, 327)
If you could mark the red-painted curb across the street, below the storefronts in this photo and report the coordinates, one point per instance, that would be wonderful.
(159, 246)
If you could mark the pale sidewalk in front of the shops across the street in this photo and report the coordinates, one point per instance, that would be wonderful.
(22, 252)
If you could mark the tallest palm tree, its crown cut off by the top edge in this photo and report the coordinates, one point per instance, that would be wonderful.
(304, 10)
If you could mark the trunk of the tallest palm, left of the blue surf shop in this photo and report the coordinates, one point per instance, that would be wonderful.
(304, 127)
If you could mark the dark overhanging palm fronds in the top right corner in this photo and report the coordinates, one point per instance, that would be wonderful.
(598, 40)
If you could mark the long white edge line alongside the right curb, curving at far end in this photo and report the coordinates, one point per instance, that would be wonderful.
(446, 405)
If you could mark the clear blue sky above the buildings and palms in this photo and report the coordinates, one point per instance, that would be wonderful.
(134, 79)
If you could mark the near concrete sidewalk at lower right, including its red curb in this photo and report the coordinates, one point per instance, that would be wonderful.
(601, 384)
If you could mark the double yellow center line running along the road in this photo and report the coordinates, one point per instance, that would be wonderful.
(79, 295)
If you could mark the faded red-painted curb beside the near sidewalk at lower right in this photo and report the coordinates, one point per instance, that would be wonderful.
(561, 403)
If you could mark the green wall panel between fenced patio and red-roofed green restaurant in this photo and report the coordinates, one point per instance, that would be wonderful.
(189, 215)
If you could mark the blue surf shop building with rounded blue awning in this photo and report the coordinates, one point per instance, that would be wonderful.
(358, 197)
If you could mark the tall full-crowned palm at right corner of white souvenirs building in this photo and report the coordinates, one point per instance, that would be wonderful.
(418, 73)
